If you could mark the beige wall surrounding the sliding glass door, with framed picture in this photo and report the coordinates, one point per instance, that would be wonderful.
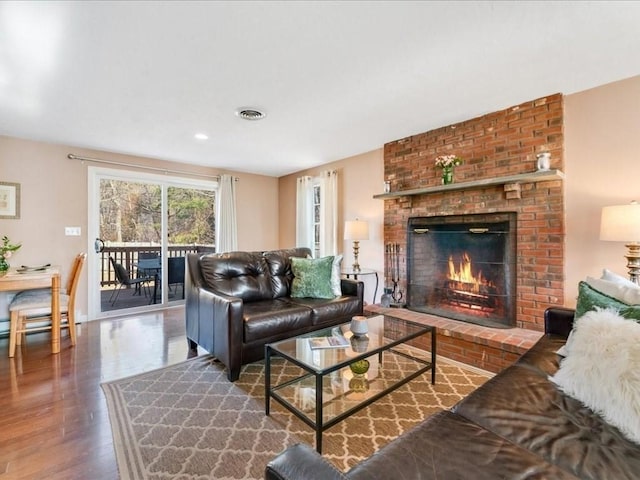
(54, 195)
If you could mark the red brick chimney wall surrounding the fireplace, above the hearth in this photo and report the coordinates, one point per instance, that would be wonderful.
(494, 145)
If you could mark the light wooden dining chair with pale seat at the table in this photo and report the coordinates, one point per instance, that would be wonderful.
(30, 311)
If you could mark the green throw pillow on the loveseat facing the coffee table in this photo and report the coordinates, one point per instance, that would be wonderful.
(312, 277)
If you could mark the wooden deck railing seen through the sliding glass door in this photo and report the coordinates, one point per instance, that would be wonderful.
(128, 258)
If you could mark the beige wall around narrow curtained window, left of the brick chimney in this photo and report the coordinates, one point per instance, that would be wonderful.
(359, 178)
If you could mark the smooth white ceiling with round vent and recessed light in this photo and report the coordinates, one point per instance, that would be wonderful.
(335, 78)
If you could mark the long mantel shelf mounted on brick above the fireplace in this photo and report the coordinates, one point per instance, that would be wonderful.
(537, 176)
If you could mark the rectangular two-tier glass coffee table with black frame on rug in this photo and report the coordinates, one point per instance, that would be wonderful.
(323, 385)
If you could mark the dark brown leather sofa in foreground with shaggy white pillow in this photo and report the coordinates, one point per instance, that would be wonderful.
(518, 425)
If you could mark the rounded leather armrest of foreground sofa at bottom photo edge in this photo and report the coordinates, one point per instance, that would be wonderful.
(301, 462)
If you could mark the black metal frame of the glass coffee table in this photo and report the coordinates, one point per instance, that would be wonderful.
(320, 425)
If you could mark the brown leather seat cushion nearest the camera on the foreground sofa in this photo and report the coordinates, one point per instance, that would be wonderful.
(448, 446)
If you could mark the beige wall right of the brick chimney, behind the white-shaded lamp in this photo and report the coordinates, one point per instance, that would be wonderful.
(602, 128)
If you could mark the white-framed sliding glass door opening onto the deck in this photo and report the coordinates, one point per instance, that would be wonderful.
(142, 227)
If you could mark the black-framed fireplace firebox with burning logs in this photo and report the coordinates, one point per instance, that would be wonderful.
(463, 267)
